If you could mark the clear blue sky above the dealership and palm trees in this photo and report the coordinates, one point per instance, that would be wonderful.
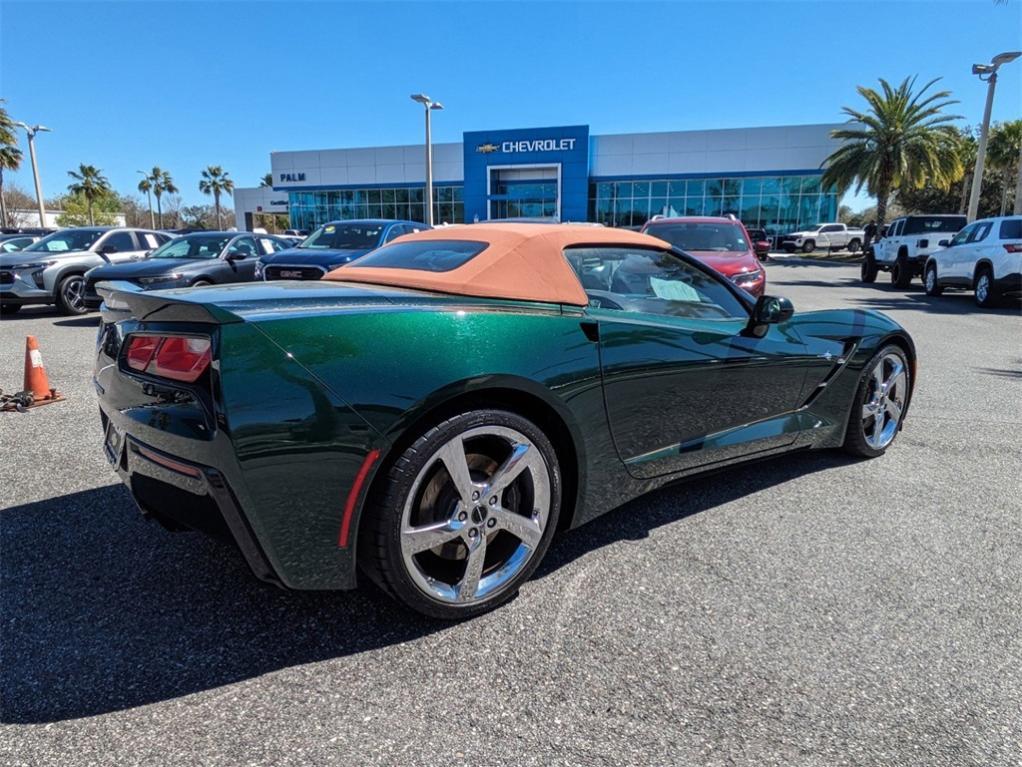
(129, 85)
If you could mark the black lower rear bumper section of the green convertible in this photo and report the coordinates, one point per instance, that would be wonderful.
(179, 493)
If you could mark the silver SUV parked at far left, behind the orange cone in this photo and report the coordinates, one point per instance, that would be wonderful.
(52, 272)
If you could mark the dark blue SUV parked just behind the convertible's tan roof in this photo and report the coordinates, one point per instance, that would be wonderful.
(332, 246)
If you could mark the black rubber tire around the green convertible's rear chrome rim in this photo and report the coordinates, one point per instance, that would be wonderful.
(380, 540)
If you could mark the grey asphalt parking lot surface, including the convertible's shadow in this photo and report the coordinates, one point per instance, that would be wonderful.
(812, 611)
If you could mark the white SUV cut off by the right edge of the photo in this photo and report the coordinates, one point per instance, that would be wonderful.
(986, 257)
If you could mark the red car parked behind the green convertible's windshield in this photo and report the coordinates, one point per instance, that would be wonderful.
(718, 242)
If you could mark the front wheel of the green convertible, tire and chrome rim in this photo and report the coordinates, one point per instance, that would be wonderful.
(879, 405)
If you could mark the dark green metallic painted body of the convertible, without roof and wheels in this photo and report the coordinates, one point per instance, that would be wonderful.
(310, 379)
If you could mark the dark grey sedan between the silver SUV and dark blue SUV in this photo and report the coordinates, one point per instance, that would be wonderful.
(199, 259)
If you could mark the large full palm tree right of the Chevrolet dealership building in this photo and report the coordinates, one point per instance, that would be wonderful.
(903, 140)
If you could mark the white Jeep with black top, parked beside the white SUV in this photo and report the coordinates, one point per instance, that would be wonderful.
(907, 246)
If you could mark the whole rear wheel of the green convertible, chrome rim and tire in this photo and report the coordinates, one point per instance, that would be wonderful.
(466, 516)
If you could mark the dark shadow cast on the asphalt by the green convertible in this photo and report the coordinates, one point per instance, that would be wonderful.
(104, 611)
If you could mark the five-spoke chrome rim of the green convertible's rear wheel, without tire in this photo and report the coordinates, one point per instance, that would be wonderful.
(476, 515)
